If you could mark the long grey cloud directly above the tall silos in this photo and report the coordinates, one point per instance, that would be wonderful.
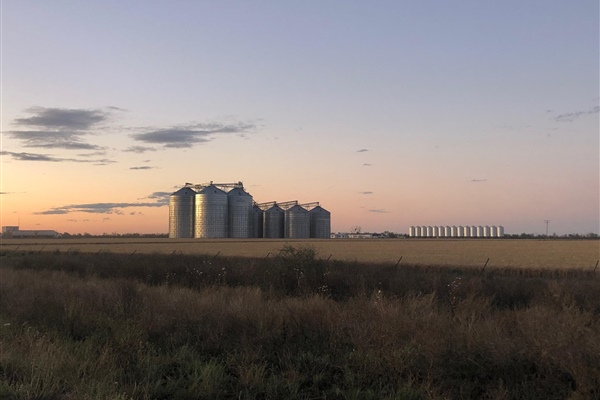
(189, 135)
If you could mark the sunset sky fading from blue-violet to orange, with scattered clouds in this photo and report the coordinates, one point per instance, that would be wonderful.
(388, 113)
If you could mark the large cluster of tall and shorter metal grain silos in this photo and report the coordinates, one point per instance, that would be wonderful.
(226, 210)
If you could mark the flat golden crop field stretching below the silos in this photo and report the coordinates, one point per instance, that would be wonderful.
(502, 253)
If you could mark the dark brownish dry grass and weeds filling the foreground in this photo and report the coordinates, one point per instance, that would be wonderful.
(147, 327)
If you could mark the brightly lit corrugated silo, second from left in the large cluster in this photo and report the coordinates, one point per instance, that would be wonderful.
(211, 213)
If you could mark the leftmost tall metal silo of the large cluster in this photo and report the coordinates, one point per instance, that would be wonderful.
(181, 213)
